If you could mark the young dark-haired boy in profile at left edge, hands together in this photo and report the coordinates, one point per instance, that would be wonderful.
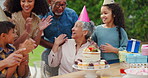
(7, 37)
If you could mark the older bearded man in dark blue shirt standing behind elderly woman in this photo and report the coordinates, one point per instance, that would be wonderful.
(62, 22)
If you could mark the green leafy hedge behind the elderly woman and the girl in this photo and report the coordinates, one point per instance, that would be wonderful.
(135, 12)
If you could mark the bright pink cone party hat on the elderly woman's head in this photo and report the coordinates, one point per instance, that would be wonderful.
(84, 15)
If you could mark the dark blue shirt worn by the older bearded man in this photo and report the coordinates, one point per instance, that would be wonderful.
(60, 25)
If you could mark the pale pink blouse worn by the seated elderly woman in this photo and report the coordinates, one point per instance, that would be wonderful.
(66, 56)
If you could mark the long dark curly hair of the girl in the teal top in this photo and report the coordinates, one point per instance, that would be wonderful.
(118, 16)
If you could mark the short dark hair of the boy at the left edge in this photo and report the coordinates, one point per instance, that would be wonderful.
(6, 26)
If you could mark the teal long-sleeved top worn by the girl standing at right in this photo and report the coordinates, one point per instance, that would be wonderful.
(110, 35)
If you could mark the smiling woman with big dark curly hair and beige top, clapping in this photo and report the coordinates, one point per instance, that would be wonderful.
(24, 14)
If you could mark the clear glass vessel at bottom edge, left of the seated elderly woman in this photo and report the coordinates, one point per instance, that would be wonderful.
(40, 70)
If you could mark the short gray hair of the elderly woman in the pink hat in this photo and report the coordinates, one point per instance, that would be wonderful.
(88, 26)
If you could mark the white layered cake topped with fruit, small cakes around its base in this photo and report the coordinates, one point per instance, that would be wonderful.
(90, 59)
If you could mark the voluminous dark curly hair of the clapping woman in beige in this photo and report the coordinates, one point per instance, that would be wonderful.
(41, 7)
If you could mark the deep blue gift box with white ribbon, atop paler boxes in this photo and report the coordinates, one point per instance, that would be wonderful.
(133, 46)
